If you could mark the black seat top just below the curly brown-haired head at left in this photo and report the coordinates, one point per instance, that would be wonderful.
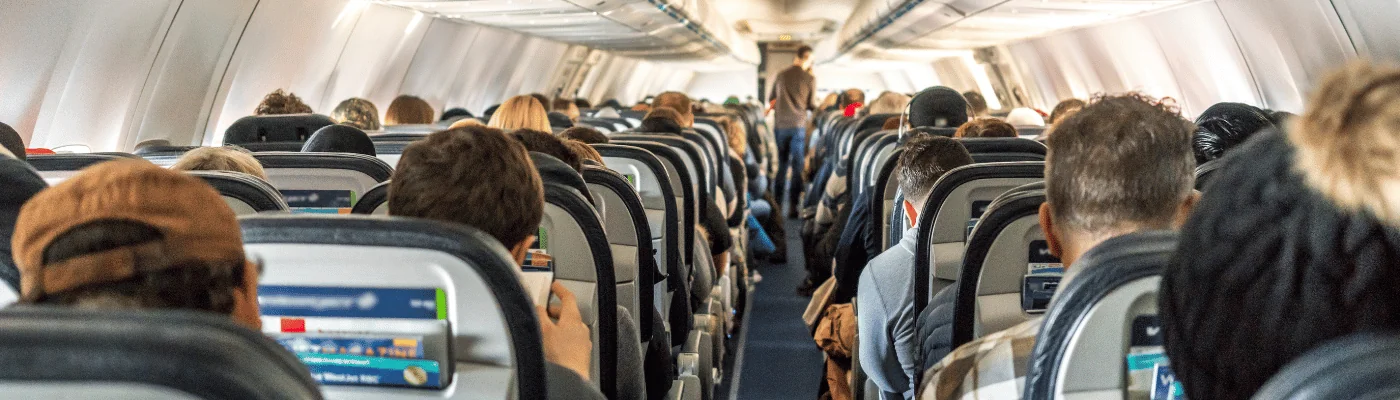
(275, 132)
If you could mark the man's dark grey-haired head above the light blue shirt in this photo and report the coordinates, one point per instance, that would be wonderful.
(925, 160)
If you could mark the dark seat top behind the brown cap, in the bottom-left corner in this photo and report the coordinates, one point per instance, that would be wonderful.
(65, 353)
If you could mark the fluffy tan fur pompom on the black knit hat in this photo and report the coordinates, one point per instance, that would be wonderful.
(1349, 141)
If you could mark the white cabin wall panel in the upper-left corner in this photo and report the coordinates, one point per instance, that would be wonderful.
(87, 76)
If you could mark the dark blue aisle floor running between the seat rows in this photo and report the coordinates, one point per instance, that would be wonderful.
(779, 359)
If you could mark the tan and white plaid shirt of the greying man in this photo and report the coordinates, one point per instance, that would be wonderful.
(993, 367)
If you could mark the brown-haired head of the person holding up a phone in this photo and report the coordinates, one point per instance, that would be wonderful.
(477, 177)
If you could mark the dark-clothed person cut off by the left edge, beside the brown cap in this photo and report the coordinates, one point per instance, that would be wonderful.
(20, 184)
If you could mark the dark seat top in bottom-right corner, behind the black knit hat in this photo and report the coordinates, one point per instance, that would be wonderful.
(1354, 367)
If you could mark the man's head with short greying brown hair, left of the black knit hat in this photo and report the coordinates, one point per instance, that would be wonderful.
(1123, 164)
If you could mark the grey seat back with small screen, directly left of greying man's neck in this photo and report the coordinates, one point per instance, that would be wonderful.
(1009, 273)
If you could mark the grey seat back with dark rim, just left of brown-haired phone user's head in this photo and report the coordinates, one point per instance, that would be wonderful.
(323, 183)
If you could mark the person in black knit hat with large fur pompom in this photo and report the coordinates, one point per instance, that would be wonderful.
(1298, 251)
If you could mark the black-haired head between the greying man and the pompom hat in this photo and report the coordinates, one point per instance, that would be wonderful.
(1224, 127)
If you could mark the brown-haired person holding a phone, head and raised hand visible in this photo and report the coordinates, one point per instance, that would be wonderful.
(481, 178)
